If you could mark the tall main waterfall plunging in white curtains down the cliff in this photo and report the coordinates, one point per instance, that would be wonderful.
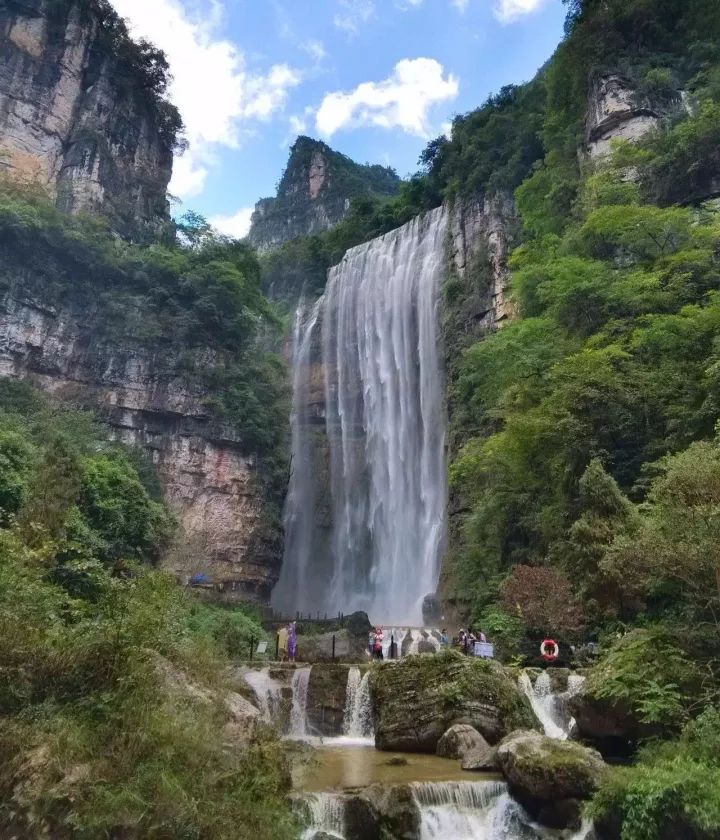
(373, 342)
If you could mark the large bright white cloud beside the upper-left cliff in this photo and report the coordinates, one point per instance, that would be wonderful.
(211, 84)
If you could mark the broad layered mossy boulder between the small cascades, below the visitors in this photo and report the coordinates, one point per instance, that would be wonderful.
(416, 700)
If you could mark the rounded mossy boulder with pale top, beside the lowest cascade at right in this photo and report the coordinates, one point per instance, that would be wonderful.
(547, 775)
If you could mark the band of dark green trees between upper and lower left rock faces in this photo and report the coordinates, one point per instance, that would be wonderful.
(198, 305)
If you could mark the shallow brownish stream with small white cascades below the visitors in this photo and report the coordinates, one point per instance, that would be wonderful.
(448, 803)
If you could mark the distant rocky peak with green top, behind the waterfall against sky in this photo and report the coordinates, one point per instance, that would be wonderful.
(315, 193)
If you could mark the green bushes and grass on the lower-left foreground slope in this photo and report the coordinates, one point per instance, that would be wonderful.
(114, 700)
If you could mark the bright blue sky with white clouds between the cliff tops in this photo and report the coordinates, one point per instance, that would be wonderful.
(376, 79)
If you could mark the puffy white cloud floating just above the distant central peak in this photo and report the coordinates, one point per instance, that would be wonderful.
(401, 101)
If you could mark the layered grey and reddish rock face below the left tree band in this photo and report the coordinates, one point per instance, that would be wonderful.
(208, 477)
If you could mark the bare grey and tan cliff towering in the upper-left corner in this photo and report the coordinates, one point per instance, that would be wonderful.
(75, 116)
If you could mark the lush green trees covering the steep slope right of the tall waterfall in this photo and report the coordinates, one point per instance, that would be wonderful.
(590, 423)
